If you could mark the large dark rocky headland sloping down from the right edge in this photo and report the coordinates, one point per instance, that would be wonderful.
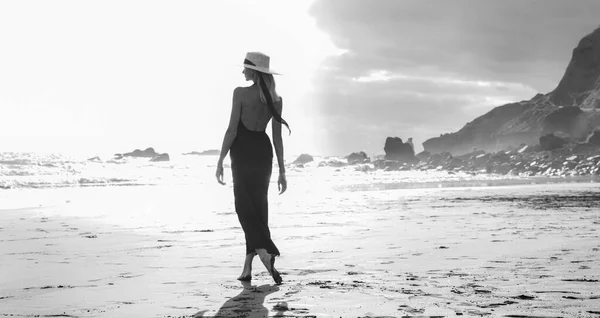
(526, 121)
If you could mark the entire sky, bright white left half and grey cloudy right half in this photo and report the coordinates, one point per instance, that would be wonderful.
(112, 76)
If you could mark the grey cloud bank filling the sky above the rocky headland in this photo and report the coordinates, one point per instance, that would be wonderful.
(446, 62)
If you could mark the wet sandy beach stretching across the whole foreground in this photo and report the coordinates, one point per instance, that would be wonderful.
(174, 251)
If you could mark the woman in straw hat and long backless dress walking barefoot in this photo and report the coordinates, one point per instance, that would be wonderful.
(252, 159)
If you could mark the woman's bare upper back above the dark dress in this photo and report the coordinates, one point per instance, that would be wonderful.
(255, 115)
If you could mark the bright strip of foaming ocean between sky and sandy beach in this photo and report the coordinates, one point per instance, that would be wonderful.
(51, 171)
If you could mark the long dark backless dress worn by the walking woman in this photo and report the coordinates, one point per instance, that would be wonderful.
(251, 163)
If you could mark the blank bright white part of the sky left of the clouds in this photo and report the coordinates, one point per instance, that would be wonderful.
(112, 76)
